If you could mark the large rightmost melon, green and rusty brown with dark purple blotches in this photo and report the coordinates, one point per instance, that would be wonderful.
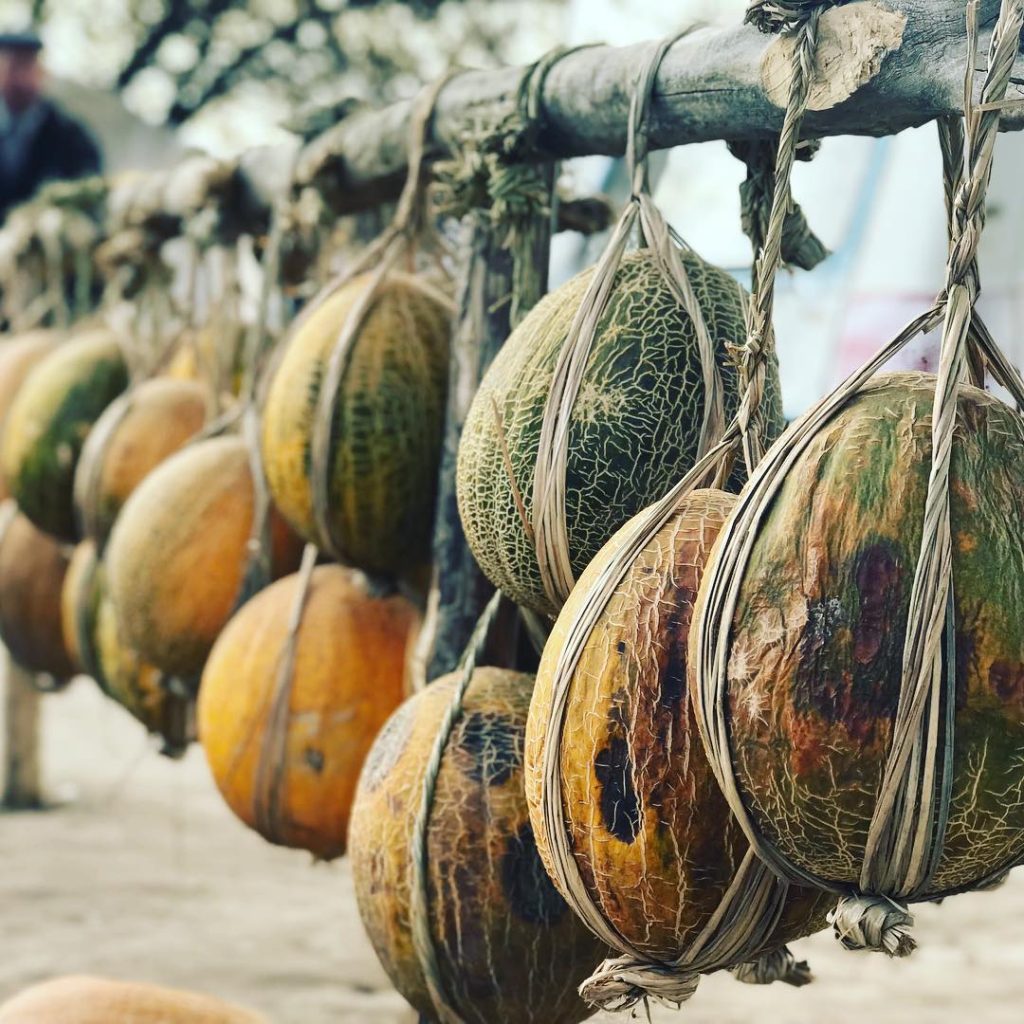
(817, 642)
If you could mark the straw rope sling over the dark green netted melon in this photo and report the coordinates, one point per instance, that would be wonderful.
(550, 529)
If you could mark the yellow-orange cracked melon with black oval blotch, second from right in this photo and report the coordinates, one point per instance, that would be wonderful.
(651, 831)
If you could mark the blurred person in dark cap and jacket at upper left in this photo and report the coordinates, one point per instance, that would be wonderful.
(39, 143)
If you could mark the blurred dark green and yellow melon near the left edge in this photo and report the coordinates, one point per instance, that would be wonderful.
(46, 430)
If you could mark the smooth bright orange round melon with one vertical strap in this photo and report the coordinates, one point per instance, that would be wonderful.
(286, 750)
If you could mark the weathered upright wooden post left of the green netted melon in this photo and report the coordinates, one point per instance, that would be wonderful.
(461, 590)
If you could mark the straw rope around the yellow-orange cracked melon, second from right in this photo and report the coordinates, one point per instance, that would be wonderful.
(746, 920)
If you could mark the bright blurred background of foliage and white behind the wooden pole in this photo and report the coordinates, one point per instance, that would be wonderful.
(156, 77)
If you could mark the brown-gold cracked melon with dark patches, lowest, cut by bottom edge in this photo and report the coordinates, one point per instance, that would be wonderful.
(508, 947)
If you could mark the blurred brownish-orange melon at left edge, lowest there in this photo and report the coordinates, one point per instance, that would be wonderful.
(33, 567)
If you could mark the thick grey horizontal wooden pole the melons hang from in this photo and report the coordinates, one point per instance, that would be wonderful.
(892, 65)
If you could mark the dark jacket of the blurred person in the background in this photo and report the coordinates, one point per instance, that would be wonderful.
(60, 149)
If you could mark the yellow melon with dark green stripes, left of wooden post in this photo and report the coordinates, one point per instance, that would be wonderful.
(387, 431)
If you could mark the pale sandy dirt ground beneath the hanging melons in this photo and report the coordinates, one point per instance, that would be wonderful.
(141, 873)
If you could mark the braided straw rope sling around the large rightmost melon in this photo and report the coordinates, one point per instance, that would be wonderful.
(908, 829)
